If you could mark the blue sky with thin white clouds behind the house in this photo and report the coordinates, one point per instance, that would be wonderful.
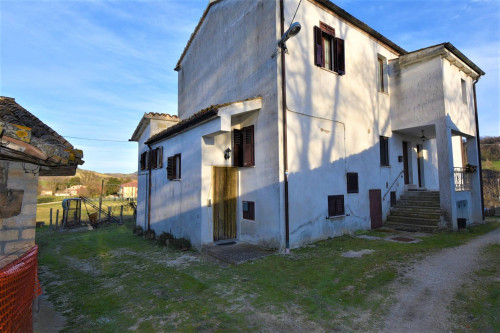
(90, 69)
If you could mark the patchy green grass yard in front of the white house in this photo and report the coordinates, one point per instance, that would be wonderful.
(108, 280)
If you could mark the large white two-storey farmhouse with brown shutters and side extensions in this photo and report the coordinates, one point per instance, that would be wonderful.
(346, 131)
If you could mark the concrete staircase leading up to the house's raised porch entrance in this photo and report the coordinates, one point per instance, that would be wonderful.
(416, 211)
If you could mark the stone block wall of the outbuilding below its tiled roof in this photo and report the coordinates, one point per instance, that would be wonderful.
(18, 194)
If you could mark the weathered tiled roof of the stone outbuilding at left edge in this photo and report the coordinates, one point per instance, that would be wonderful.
(25, 138)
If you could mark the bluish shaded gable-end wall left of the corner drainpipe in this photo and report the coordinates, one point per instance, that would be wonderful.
(230, 60)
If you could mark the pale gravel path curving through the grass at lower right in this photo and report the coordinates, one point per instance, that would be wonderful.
(424, 293)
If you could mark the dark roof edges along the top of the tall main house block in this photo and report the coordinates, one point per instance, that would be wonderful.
(326, 3)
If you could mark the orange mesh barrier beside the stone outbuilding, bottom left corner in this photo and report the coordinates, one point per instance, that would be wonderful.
(18, 287)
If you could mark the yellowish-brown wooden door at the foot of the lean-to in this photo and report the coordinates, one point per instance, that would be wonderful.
(225, 194)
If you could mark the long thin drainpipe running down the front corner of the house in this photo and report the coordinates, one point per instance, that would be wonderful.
(285, 149)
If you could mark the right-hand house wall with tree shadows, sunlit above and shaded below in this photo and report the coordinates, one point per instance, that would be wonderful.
(334, 125)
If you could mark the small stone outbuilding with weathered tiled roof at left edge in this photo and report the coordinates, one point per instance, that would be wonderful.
(28, 149)
